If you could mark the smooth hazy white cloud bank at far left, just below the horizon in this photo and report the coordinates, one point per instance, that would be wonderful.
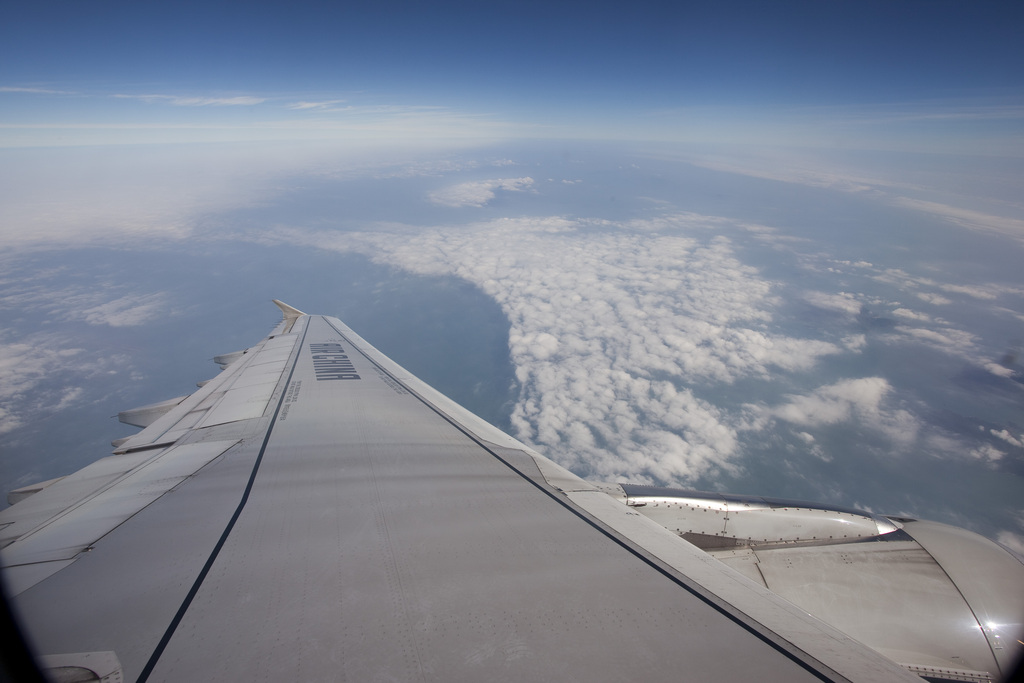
(120, 196)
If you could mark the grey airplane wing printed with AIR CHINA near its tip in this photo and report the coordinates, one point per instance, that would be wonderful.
(316, 513)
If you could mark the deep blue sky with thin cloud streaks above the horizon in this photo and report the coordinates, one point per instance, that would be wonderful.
(847, 74)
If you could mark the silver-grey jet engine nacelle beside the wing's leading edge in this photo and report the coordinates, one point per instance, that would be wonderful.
(945, 603)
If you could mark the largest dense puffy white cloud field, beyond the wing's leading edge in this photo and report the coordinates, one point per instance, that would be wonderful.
(612, 324)
